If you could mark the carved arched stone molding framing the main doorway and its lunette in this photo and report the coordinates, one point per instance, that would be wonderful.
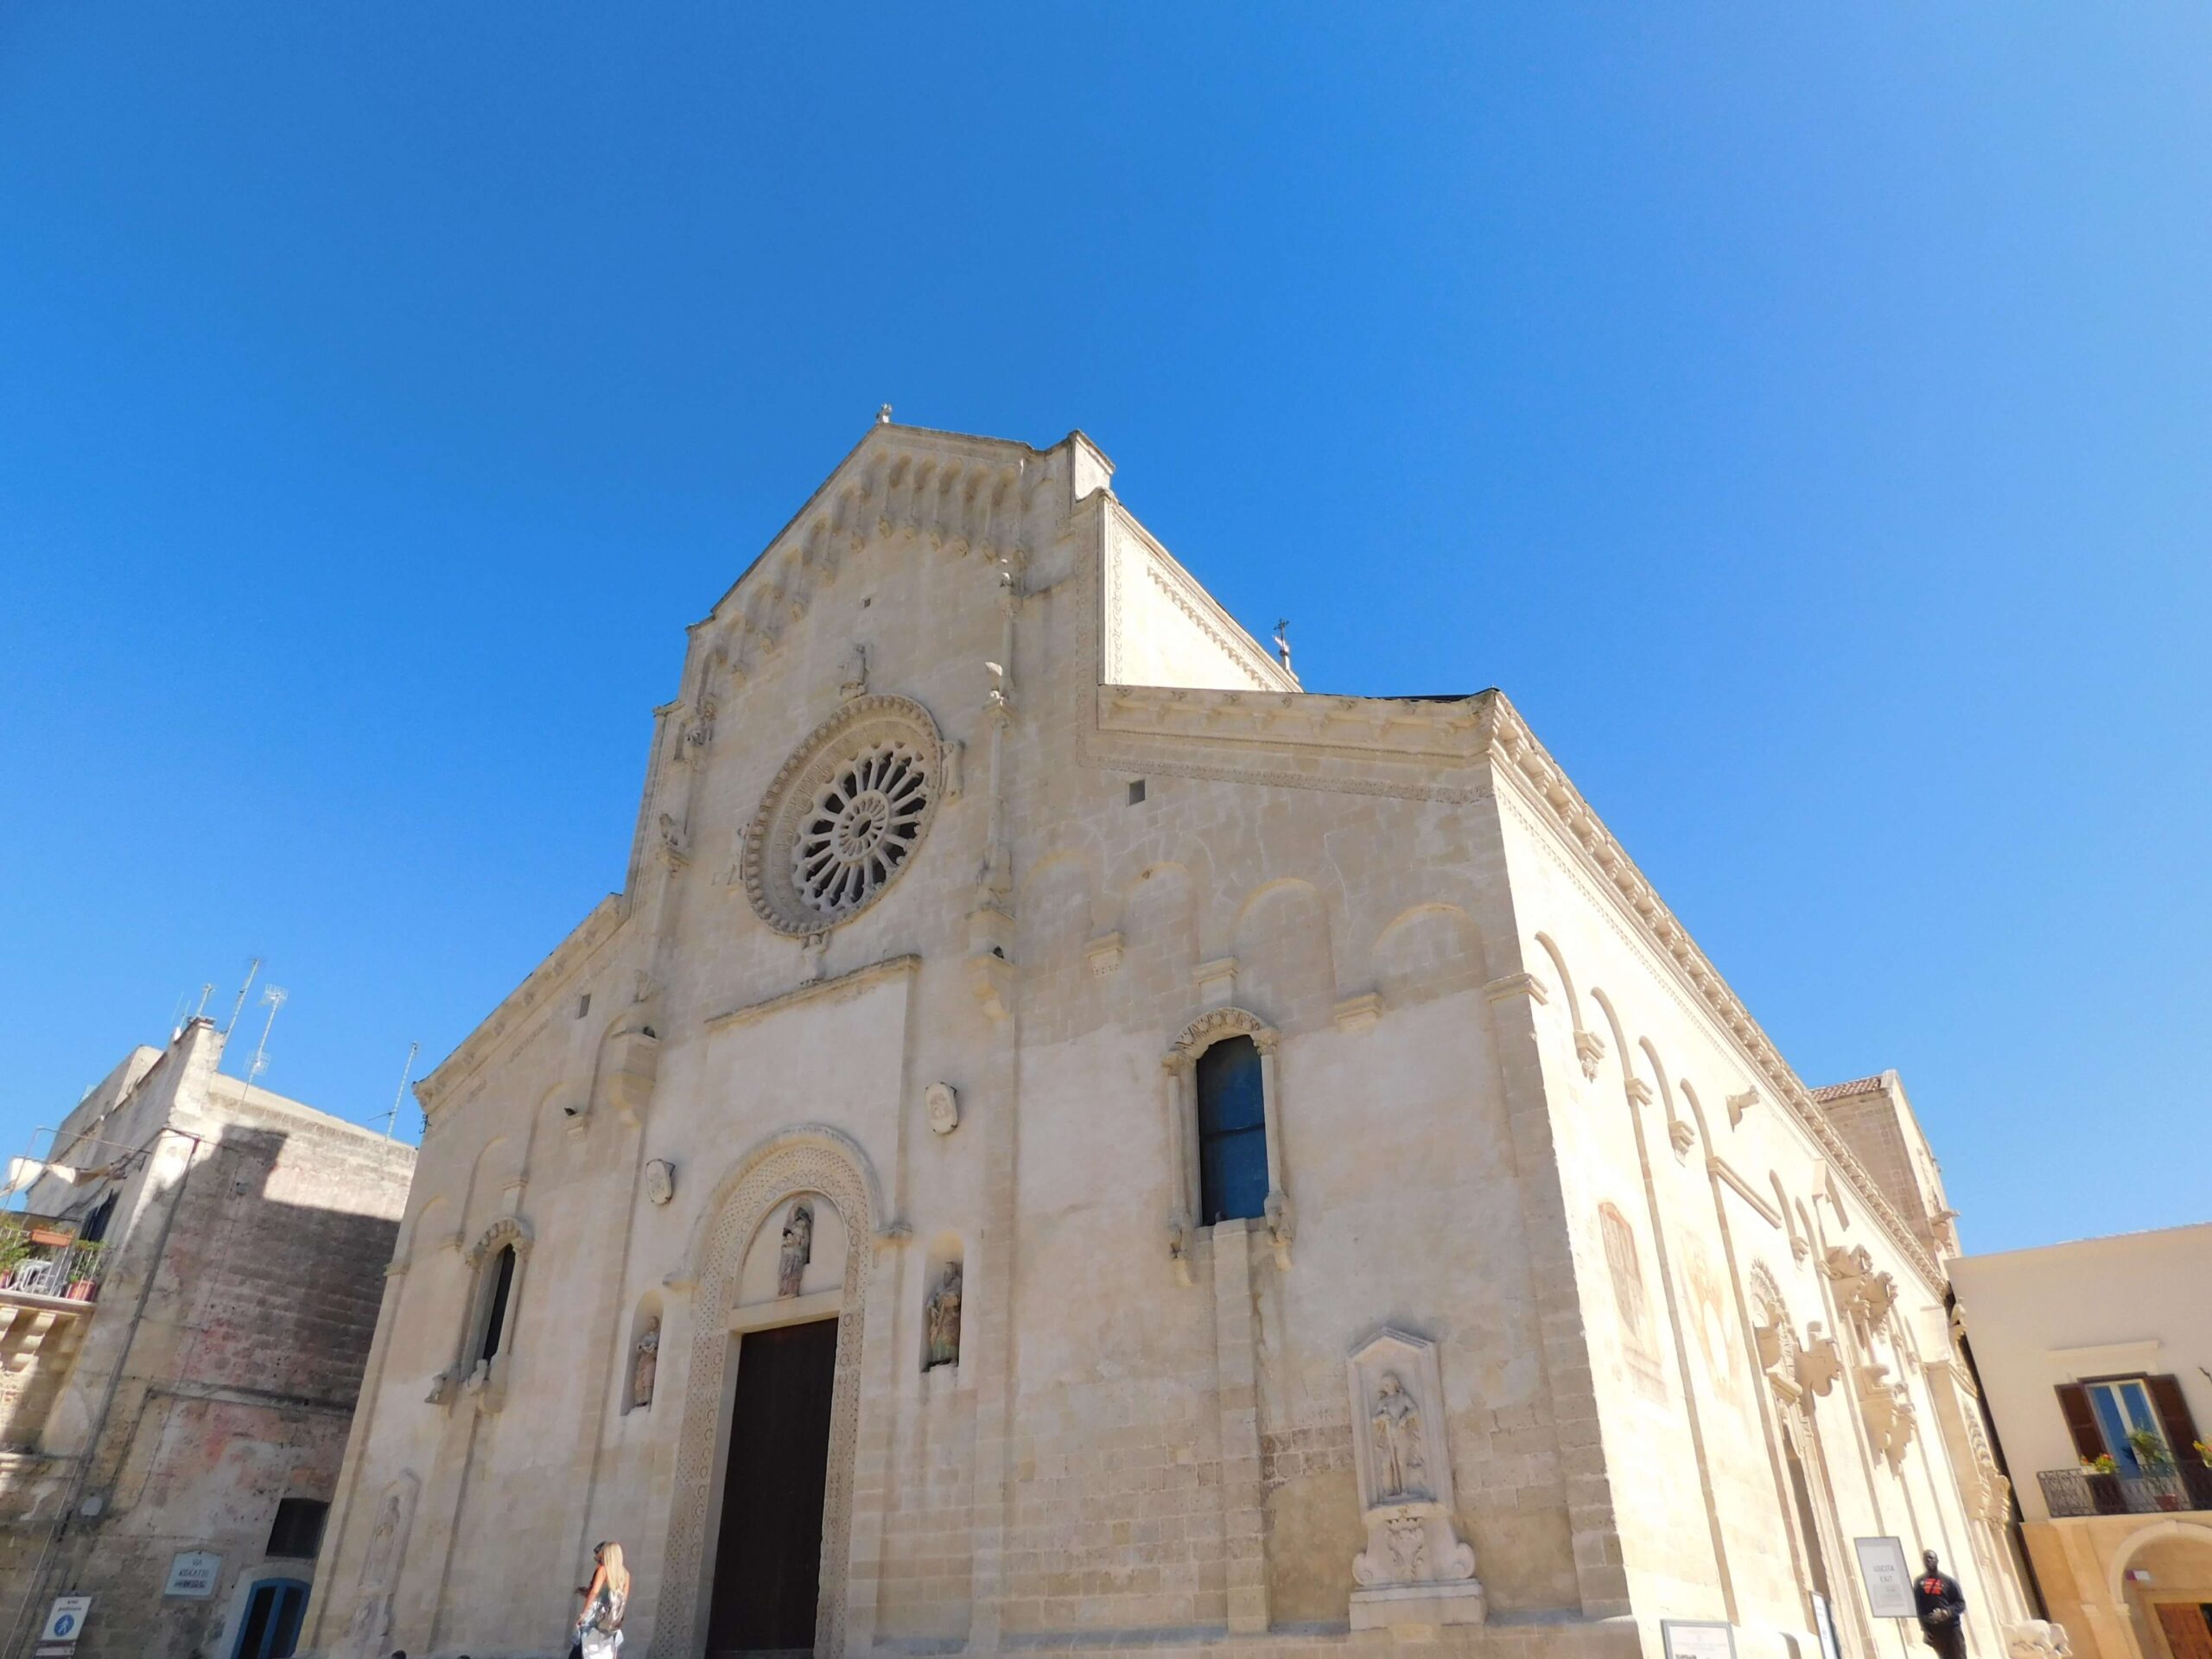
(806, 1162)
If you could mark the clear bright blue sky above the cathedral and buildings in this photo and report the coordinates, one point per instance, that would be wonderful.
(1804, 413)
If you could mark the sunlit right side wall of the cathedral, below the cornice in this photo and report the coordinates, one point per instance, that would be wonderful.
(1709, 1231)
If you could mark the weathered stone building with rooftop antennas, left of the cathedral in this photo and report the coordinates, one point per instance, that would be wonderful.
(185, 1311)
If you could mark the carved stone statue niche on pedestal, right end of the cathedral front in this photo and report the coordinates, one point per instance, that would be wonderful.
(1415, 1572)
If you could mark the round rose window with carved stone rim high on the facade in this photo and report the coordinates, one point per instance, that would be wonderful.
(844, 817)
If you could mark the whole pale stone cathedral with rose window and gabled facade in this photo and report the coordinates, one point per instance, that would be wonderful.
(1070, 1140)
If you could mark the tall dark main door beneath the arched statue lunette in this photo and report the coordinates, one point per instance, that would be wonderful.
(769, 1561)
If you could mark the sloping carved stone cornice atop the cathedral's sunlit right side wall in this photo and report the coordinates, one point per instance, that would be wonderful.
(1545, 786)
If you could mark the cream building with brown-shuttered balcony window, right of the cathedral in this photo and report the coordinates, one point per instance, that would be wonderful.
(2096, 1359)
